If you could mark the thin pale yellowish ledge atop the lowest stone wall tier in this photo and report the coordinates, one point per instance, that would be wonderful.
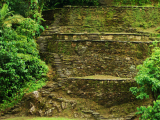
(101, 77)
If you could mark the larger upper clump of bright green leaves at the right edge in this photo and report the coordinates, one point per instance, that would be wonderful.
(148, 77)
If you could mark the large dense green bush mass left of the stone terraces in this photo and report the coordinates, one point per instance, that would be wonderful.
(19, 59)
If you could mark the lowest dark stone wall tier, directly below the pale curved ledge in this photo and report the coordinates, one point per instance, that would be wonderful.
(107, 92)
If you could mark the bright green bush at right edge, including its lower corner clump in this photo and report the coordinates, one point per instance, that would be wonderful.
(148, 79)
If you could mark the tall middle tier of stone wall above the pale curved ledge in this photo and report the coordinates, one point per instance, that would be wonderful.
(105, 58)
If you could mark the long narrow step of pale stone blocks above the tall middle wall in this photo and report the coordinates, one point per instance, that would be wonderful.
(96, 37)
